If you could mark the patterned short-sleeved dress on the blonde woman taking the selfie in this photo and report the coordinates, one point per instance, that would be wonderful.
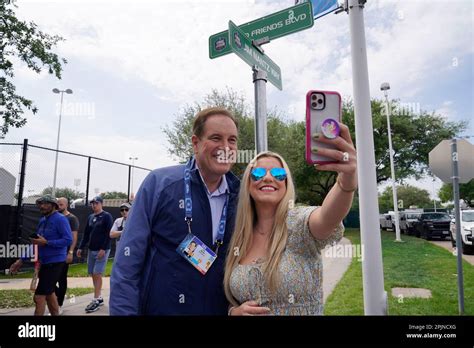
(300, 290)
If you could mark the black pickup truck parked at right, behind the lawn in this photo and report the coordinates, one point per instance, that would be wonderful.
(431, 225)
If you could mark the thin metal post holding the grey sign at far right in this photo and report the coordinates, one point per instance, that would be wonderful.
(454, 165)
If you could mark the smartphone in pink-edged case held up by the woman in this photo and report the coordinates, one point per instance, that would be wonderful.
(320, 106)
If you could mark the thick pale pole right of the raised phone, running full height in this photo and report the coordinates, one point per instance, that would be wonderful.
(375, 297)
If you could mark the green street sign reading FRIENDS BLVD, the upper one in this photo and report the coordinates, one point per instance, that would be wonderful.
(273, 26)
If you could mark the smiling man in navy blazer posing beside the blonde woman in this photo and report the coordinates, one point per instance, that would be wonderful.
(149, 276)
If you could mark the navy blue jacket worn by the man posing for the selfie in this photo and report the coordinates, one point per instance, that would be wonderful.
(149, 277)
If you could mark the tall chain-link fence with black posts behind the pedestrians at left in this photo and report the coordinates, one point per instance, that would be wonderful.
(27, 171)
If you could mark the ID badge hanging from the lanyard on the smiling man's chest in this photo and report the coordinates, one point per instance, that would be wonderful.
(196, 253)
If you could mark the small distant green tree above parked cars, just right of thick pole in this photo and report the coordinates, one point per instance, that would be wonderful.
(407, 195)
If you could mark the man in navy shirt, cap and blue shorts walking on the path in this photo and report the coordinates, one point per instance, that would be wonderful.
(96, 236)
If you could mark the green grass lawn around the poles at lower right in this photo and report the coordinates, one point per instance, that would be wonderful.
(415, 263)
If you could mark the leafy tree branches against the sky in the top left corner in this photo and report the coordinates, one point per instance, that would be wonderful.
(31, 46)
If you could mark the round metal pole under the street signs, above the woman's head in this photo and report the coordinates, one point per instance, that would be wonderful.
(260, 82)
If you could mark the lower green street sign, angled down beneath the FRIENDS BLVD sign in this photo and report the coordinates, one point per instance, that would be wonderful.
(241, 45)
